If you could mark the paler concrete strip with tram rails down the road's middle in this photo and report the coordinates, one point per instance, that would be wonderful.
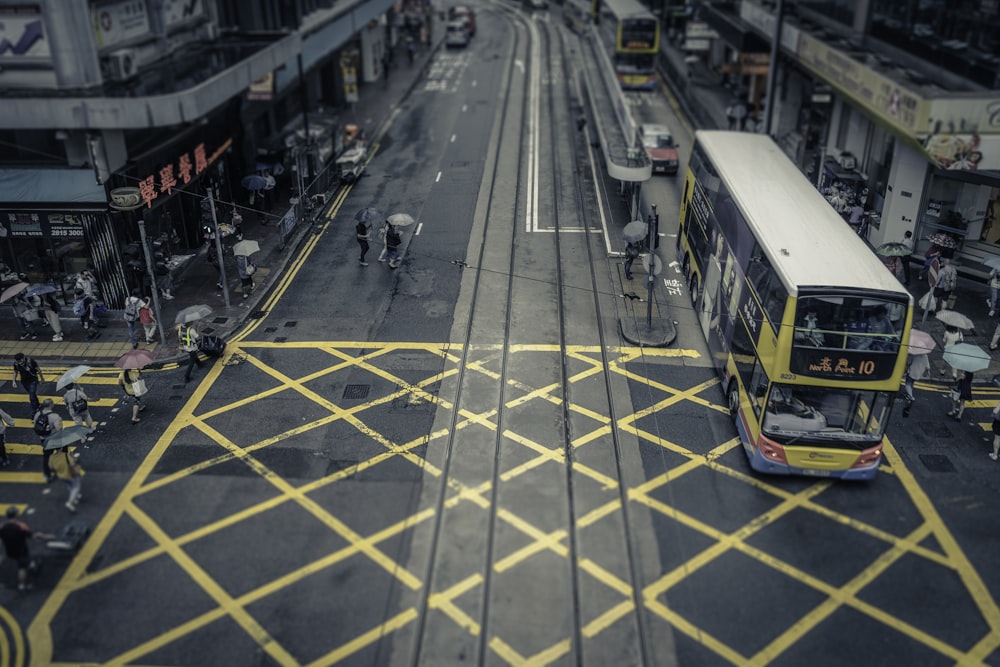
(534, 210)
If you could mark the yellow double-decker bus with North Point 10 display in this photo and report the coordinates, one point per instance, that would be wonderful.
(806, 326)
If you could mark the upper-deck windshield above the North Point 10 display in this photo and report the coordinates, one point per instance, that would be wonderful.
(849, 323)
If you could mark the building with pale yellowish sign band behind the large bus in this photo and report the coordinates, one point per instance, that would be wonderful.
(896, 100)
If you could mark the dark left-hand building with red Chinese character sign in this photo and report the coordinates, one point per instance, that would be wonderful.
(172, 97)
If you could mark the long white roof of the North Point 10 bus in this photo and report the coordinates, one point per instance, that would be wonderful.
(808, 242)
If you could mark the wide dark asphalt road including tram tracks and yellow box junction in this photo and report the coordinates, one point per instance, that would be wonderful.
(460, 462)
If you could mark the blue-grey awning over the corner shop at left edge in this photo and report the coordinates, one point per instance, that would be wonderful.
(19, 187)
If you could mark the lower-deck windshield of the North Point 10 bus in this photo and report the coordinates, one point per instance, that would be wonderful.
(823, 415)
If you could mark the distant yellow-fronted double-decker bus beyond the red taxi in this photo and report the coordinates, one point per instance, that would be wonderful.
(631, 35)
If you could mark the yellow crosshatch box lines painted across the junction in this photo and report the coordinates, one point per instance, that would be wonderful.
(343, 357)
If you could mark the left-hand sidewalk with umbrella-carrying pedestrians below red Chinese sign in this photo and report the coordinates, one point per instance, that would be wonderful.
(197, 282)
